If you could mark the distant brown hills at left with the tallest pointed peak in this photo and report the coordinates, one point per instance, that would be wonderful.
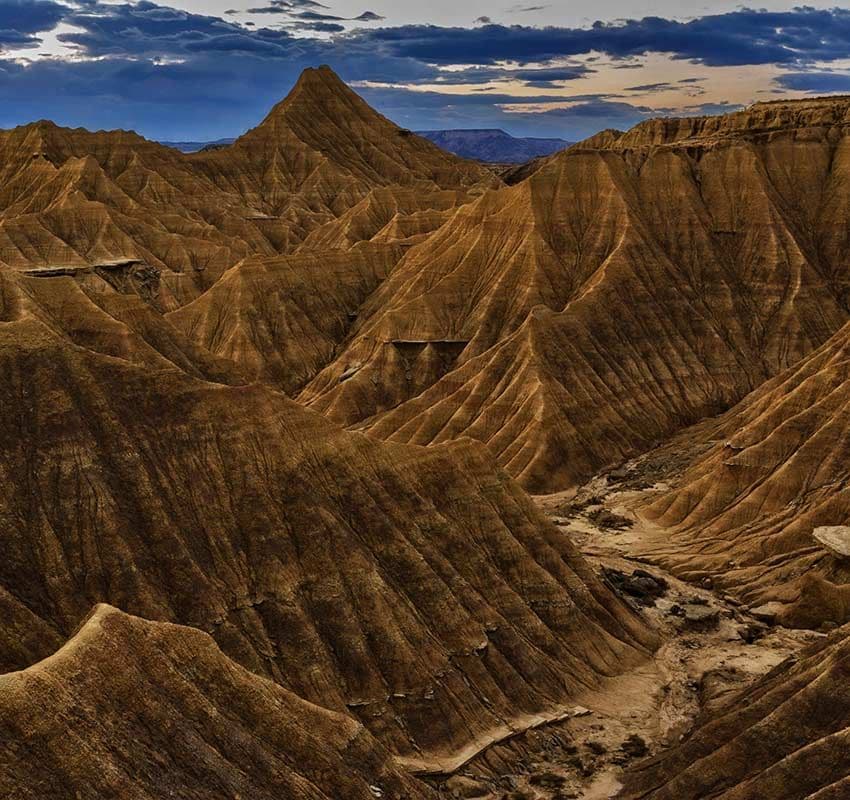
(79, 200)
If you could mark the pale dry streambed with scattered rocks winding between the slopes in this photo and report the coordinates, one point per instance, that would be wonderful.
(713, 646)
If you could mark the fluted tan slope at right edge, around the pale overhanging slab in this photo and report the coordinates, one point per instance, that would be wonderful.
(745, 510)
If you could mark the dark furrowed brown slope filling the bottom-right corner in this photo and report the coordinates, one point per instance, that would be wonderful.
(782, 739)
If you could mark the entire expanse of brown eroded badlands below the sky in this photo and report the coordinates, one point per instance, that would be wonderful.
(333, 465)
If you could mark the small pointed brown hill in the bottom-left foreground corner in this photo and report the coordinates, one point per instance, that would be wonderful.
(141, 710)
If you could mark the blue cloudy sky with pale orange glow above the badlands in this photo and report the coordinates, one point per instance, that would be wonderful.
(208, 69)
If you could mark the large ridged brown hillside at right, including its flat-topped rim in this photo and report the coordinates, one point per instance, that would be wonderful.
(679, 266)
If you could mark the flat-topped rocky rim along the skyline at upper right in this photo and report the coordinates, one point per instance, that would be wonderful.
(758, 119)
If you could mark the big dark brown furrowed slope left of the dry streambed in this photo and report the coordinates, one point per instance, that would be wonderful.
(419, 588)
